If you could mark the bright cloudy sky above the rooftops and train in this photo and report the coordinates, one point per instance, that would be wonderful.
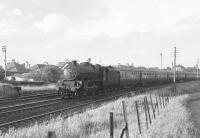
(108, 31)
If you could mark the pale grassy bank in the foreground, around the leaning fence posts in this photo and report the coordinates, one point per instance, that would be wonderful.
(173, 121)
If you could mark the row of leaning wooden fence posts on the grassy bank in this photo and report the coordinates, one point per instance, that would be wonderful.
(150, 104)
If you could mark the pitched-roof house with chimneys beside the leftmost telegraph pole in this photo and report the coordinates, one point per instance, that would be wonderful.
(13, 67)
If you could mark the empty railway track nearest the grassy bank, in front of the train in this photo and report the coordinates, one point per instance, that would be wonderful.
(14, 116)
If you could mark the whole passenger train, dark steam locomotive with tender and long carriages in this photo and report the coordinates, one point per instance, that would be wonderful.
(84, 78)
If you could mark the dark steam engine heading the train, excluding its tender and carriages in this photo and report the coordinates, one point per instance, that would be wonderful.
(80, 79)
